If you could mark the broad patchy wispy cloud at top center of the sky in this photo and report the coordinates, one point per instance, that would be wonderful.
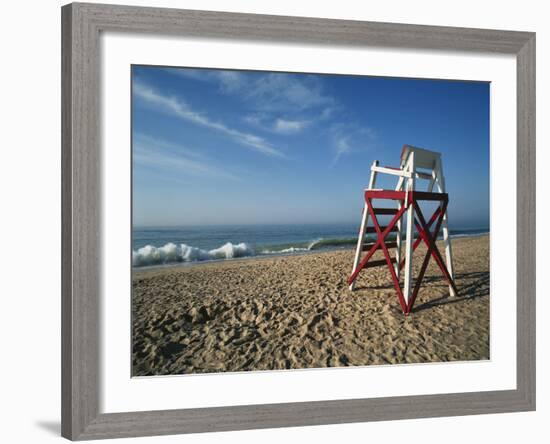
(287, 104)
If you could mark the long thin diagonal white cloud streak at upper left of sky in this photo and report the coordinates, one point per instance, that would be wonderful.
(182, 110)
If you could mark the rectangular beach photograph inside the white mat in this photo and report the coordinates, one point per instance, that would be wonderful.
(287, 221)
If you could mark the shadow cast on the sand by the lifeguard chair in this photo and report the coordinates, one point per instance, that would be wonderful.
(478, 286)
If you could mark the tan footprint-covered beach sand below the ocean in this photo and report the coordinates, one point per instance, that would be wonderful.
(292, 312)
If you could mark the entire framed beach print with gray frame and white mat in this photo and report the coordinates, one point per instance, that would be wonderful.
(279, 221)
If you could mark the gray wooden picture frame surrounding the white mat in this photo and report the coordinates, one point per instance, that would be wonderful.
(81, 172)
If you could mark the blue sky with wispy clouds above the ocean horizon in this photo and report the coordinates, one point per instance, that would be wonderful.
(240, 147)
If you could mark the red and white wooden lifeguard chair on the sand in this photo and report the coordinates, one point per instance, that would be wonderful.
(416, 164)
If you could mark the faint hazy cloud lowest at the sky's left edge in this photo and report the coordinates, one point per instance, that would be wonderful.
(151, 152)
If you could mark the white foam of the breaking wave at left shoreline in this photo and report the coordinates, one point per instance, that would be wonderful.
(172, 253)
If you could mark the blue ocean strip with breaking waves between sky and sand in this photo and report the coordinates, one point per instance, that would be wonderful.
(154, 246)
